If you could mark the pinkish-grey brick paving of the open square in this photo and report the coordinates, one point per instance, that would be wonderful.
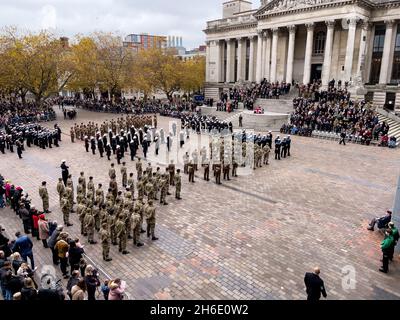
(255, 236)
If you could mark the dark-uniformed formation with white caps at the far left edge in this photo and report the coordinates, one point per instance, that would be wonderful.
(14, 137)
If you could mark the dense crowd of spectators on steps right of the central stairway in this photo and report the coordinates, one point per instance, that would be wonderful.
(333, 110)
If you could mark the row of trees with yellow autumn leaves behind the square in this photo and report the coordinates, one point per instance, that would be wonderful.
(43, 65)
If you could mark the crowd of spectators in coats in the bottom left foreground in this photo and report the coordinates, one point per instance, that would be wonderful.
(18, 274)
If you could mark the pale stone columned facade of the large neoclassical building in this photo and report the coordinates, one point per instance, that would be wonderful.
(355, 41)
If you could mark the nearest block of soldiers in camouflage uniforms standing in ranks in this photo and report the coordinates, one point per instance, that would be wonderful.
(118, 214)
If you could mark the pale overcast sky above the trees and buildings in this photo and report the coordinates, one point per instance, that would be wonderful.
(186, 18)
